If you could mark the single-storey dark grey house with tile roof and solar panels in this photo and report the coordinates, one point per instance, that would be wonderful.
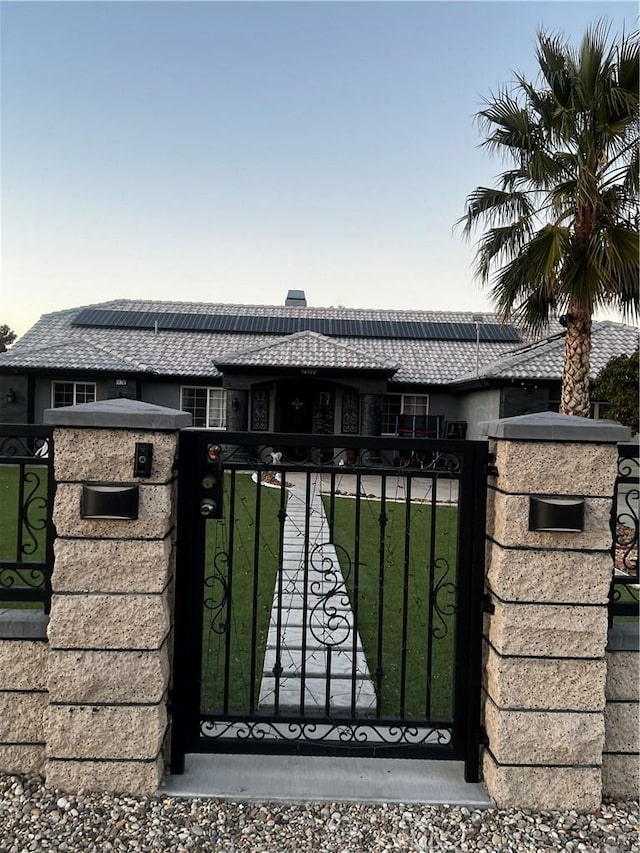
(294, 368)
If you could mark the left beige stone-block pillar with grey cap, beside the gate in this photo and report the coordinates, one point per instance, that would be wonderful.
(111, 612)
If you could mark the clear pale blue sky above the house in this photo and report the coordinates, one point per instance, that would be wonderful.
(231, 151)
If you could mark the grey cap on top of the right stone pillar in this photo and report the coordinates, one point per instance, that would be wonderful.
(551, 426)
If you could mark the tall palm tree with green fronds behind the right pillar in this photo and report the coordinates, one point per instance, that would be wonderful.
(561, 224)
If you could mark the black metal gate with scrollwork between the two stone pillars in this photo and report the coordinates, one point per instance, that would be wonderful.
(329, 596)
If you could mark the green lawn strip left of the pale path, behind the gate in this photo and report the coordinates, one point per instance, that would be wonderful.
(228, 632)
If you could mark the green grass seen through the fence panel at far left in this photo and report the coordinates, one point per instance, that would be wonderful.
(29, 543)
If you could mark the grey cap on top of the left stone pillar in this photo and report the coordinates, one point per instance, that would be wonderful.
(118, 414)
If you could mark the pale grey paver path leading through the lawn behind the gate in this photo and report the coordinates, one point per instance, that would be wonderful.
(335, 673)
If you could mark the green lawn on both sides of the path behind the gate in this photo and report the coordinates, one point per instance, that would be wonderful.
(229, 634)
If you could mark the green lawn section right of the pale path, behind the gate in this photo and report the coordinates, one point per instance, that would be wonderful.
(404, 636)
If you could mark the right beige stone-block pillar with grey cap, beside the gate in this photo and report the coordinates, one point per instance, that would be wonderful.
(544, 672)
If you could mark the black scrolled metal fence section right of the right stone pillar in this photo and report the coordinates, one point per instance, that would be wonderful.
(623, 598)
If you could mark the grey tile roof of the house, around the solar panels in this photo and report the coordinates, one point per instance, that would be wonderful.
(53, 342)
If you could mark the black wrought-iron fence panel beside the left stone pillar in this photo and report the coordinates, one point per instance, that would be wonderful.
(27, 489)
